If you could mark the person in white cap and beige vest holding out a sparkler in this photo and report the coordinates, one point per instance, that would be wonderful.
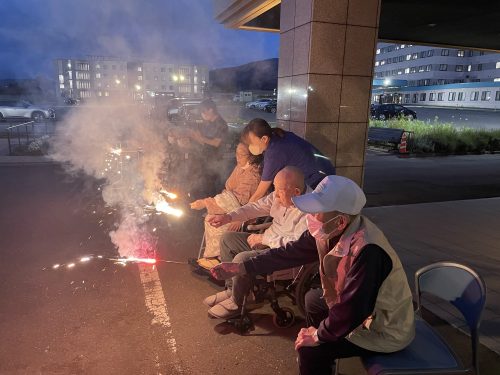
(365, 304)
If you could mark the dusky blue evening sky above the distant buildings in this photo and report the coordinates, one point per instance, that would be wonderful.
(34, 32)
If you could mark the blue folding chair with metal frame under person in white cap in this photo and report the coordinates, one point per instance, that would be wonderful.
(429, 353)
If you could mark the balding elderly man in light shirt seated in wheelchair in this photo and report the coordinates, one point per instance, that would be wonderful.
(287, 225)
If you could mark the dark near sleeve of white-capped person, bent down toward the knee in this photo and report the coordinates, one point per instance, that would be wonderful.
(357, 299)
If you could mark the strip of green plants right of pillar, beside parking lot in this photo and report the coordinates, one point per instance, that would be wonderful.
(444, 138)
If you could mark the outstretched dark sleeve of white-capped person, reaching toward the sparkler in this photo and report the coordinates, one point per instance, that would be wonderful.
(296, 253)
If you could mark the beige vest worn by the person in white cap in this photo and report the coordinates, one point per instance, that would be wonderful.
(391, 327)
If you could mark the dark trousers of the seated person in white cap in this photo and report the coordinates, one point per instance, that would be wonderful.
(320, 360)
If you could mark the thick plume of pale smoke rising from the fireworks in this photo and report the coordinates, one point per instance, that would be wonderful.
(119, 145)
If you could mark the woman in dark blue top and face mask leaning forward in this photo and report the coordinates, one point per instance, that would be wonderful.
(281, 148)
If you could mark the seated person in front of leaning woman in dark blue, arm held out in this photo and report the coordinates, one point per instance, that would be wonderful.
(240, 186)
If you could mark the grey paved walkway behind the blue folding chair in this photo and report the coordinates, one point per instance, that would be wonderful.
(465, 231)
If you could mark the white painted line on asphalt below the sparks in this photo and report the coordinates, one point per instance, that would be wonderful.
(156, 304)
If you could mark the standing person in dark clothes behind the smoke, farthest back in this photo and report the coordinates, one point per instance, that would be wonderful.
(212, 135)
